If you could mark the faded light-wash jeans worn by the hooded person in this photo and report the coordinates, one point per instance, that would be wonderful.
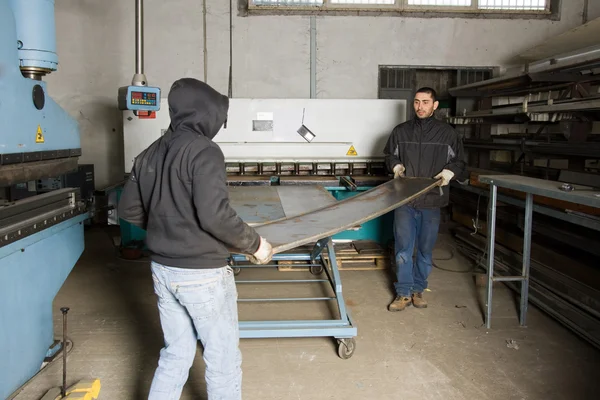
(197, 304)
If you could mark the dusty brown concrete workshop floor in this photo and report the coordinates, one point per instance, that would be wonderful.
(442, 352)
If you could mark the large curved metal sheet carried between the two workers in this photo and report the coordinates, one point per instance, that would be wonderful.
(289, 233)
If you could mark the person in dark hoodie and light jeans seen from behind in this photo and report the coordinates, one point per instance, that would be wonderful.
(177, 192)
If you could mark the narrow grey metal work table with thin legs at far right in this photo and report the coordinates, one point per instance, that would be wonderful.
(531, 187)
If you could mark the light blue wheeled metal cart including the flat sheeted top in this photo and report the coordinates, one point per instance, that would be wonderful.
(257, 205)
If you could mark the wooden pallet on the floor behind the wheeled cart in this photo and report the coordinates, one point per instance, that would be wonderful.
(355, 256)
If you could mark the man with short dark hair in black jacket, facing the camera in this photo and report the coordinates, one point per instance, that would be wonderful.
(421, 147)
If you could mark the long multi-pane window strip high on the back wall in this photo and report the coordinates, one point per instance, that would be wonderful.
(518, 7)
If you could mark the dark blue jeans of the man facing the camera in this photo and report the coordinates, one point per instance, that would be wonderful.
(414, 226)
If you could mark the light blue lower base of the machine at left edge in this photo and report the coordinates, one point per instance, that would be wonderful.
(32, 271)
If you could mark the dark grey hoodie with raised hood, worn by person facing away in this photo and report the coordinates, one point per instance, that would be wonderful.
(177, 187)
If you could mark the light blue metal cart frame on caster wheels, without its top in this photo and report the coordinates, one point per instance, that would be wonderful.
(342, 329)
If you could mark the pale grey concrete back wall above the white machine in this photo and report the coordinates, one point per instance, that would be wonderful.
(95, 42)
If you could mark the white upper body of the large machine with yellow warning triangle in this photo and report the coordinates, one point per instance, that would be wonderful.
(267, 140)
